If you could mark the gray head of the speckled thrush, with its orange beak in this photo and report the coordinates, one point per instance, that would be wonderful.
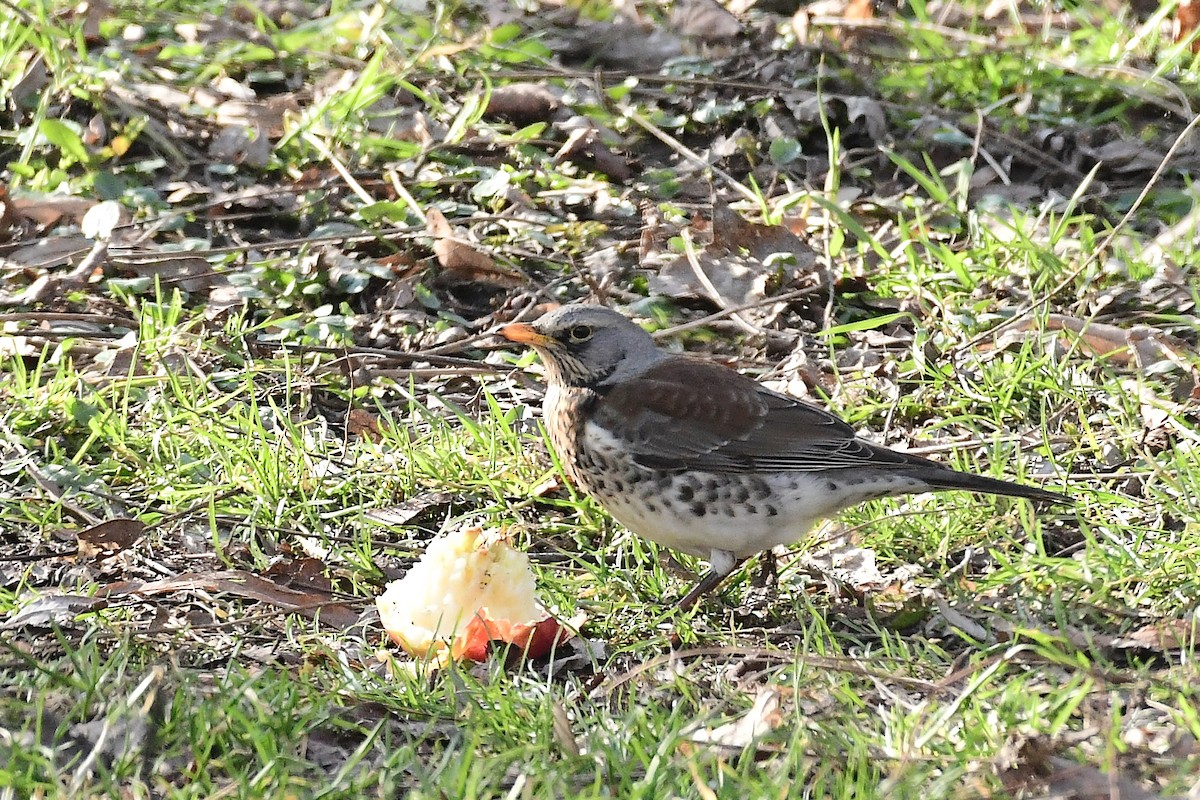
(587, 346)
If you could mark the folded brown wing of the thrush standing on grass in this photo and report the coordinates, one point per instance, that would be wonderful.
(691, 414)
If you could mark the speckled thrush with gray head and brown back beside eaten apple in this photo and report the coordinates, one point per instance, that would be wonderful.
(701, 459)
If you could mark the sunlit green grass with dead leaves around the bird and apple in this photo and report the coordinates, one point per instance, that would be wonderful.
(297, 407)
